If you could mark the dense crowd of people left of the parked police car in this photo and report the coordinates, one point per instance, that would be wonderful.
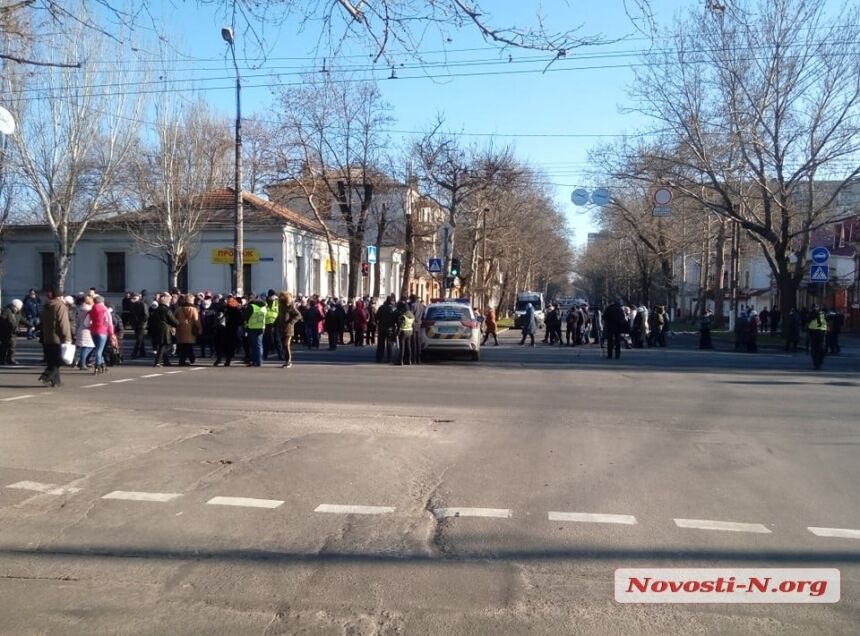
(168, 325)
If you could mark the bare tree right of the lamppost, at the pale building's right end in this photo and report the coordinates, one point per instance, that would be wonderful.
(333, 146)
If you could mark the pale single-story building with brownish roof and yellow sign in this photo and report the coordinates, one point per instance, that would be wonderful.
(283, 250)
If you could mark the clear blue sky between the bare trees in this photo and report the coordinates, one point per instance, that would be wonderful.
(570, 99)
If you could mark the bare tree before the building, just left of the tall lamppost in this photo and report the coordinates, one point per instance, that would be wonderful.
(190, 157)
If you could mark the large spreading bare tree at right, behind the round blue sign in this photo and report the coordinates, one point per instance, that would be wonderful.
(759, 101)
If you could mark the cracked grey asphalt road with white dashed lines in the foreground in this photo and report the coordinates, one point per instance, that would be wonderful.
(345, 497)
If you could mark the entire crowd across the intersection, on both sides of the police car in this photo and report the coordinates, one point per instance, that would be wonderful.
(257, 327)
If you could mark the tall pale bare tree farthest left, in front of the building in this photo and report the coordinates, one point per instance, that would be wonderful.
(72, 141)
